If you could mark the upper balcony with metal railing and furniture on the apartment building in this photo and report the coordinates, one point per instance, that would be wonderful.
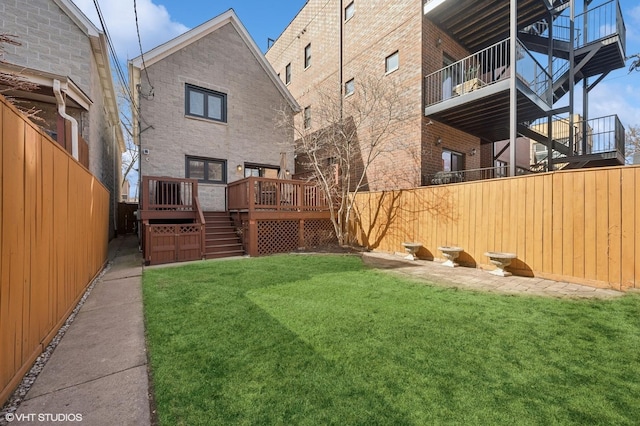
(473, 94)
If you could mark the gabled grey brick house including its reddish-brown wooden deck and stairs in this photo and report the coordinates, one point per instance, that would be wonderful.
(205, 119)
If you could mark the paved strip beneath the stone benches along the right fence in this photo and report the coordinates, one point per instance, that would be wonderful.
(473, 278)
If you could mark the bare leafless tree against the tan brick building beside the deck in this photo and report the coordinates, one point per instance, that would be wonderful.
(343, 139)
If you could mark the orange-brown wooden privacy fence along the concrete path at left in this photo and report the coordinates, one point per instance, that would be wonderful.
(54, 229)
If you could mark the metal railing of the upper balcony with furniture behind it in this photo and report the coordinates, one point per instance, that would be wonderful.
(484, 68)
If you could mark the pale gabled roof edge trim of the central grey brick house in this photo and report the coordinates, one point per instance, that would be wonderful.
(229, 17)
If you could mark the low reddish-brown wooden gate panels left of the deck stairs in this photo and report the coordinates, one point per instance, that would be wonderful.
(174, 243)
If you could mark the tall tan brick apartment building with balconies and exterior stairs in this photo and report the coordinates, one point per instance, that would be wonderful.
(452, 62)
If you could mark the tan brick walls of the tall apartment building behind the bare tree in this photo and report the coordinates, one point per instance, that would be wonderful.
(377, 29)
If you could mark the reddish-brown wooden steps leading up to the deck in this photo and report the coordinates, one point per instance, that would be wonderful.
(221, 239)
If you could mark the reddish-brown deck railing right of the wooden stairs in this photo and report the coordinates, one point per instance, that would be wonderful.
(275, 194)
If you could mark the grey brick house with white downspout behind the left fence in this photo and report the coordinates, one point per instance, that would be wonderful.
(66, 56)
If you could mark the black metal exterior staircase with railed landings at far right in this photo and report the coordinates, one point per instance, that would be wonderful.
(598, 43)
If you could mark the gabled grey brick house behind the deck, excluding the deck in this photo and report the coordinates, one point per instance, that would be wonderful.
(206, 109)
